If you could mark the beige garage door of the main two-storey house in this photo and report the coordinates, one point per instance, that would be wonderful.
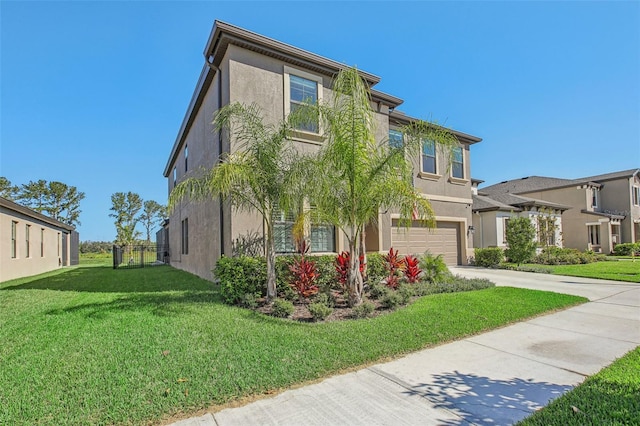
(444, 240)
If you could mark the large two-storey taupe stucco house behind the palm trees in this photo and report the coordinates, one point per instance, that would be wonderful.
(241, 66)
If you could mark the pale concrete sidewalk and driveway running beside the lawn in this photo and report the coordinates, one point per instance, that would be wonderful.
(495, 378)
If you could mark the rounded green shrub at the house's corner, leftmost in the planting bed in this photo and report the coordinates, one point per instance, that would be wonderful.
(239, 276)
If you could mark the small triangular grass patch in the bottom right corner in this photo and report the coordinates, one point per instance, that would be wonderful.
(610, 397)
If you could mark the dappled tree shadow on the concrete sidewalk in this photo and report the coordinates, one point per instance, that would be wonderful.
(482, 400)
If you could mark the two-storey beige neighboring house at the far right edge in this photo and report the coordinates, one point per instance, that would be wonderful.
(605, 209)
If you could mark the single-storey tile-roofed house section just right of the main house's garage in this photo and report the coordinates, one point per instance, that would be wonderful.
(492, 212)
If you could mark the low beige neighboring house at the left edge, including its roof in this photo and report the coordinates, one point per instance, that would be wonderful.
(33, 243)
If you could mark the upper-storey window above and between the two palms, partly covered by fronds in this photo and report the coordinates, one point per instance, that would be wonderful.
(301, 88)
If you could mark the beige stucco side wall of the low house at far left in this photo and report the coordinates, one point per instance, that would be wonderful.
(38, 261)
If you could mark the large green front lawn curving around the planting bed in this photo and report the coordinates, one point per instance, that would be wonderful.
(93, 345)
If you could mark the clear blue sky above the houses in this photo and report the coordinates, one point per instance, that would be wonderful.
(93, 93)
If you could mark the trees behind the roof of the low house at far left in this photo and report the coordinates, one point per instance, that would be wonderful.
(54, 199)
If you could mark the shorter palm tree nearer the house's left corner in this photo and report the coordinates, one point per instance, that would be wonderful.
(260, 176)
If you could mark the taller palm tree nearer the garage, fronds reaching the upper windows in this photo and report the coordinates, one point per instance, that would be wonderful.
(356, 177)
